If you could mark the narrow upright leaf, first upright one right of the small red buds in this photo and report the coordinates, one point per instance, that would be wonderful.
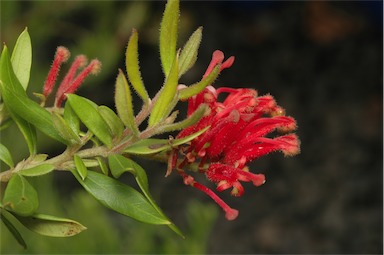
(123, 102)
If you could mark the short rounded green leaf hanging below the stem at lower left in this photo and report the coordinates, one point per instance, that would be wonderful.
(20, 197)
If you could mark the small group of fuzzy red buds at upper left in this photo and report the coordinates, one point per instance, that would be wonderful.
(71, 82)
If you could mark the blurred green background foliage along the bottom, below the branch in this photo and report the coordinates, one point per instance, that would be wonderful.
(113, 234)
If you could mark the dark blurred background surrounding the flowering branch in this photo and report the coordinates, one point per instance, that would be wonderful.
(322, 61)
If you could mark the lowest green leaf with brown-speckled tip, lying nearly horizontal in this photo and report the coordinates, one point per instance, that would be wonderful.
(53, 226)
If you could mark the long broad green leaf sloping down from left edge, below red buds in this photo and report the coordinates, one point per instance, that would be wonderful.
(20, 104)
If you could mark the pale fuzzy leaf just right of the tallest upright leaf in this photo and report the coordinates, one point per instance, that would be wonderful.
(188, 55)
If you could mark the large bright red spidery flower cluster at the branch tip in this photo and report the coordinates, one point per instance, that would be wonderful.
(241, 129)
